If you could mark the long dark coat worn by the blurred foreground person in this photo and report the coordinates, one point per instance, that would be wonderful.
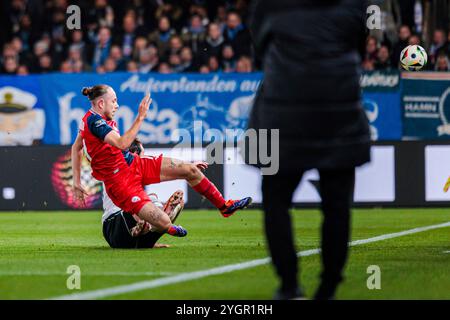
(309, 52)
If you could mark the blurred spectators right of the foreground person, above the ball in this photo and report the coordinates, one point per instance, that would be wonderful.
(410, 22)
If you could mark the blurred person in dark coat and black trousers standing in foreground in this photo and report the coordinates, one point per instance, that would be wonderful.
(310, 53)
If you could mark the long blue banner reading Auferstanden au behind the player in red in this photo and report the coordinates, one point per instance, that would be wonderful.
(194, 102)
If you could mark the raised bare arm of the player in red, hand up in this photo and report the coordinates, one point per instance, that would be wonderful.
(123, 142)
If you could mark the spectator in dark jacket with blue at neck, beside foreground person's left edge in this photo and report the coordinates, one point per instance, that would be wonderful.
(237, 34)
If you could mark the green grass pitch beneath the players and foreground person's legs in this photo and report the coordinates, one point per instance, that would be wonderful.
(37, 247)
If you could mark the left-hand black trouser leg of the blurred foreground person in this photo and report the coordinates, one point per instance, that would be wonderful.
(277, 198)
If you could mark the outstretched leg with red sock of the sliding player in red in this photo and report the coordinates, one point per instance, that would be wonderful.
(172, 169)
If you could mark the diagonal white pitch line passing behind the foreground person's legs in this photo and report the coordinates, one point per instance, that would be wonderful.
(183, 277)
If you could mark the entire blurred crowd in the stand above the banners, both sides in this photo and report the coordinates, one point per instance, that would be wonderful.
(171, 36)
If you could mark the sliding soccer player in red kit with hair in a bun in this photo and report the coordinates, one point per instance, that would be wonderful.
(125, 174)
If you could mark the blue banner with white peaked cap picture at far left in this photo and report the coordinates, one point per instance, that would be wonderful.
(22, 119)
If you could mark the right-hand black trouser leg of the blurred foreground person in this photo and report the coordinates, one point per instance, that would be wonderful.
(336, 188)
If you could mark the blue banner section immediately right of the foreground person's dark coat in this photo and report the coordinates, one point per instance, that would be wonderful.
(381, 100)
